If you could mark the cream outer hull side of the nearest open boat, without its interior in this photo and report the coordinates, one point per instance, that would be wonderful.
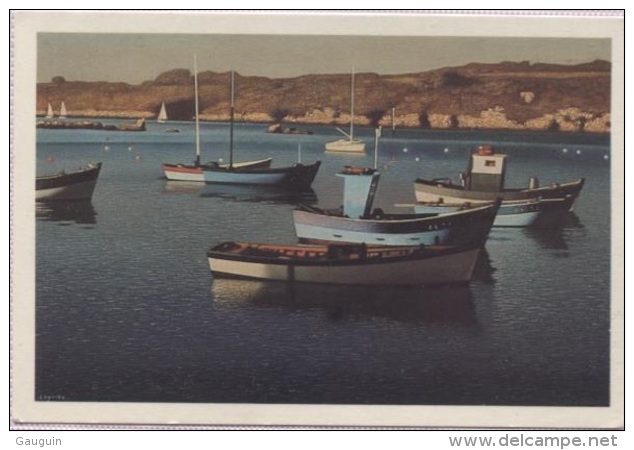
(428, 268)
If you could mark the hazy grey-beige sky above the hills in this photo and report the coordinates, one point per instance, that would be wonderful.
(134, 58)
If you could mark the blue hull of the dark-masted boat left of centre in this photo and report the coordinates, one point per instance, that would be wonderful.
(298, 176)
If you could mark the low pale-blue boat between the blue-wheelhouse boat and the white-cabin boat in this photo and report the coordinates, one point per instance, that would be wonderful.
(521, 213)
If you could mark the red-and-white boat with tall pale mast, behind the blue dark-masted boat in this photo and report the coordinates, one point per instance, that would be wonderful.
(194, 172)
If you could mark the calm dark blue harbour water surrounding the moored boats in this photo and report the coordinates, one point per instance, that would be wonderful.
(127, 309)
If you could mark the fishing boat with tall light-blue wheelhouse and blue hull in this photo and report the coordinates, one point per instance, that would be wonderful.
(356, 221)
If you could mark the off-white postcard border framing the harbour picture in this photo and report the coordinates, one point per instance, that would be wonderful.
(26, 411)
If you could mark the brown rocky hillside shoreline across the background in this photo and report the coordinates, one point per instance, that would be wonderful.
(509, 95)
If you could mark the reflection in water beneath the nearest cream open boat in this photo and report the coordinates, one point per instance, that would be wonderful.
(442, 305)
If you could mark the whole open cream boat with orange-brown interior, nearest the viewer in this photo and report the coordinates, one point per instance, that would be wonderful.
(356, 264)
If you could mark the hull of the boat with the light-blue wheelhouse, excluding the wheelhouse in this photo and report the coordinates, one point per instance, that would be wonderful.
(466, 227)
